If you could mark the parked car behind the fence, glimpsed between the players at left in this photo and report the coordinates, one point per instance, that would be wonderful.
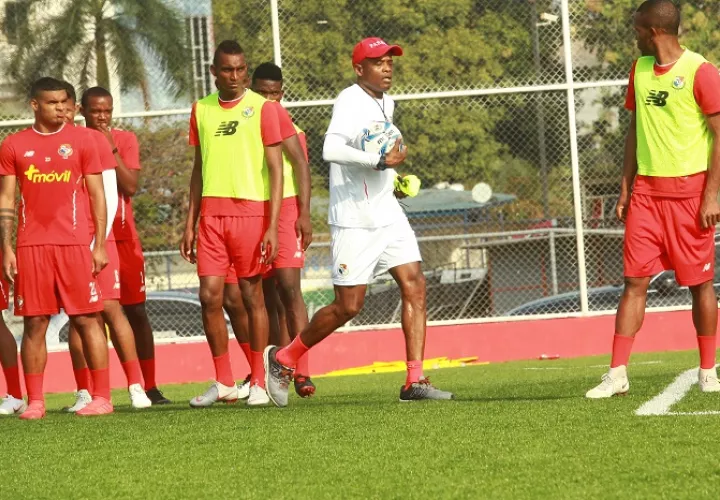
(172, 314)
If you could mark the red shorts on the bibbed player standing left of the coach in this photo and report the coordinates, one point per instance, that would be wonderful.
(225, 241)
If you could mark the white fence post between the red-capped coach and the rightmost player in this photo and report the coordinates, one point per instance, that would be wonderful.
(574, 155)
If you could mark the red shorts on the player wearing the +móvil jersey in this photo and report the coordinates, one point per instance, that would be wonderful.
(50, 277)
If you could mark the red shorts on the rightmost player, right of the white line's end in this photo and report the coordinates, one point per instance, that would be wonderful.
(665, 233)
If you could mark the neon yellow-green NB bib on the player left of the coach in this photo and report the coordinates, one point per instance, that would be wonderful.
(232, 148)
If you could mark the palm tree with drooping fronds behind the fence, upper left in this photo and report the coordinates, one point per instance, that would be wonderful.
(88, 40)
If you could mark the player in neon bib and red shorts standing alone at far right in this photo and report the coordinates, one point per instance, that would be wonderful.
(669, 189)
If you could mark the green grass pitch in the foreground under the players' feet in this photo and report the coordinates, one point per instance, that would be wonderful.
(514, 432)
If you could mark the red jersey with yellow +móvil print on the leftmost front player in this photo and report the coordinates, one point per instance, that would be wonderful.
(50, 169)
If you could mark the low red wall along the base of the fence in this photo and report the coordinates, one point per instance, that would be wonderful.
(493, 342)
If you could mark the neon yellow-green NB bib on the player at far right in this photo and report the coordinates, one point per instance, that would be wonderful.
(673, 139)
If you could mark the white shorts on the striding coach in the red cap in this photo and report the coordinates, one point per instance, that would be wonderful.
(361, 253)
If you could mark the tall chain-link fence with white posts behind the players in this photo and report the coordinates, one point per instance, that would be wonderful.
(482, 97)
